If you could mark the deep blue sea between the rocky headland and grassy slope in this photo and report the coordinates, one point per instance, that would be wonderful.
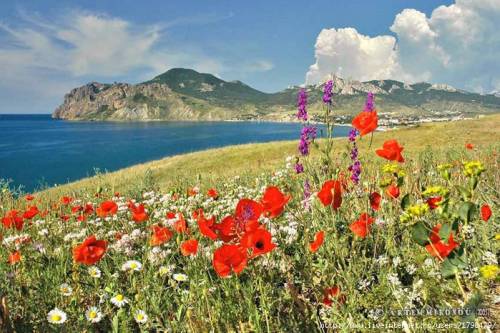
(37, 151)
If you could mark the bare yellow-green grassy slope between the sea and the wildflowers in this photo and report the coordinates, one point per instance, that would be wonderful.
(249, 159)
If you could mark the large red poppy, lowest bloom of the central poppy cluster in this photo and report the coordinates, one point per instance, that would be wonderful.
(229, 258)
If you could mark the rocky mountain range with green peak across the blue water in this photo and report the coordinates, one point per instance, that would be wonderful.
(184, 94)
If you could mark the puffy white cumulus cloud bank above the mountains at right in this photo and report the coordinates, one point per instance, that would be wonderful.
(458, 44)
